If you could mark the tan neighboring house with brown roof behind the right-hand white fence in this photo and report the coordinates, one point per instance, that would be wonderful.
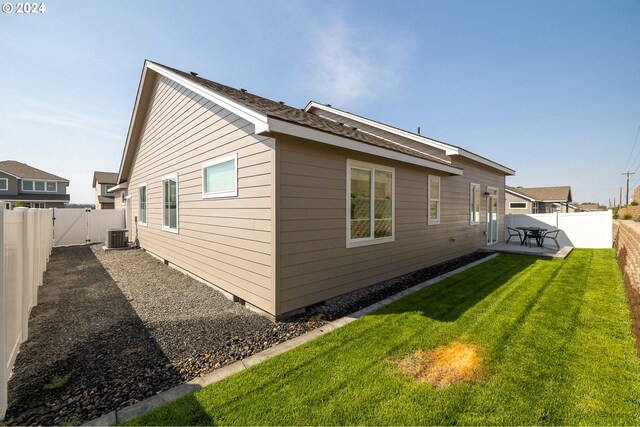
(521, 200)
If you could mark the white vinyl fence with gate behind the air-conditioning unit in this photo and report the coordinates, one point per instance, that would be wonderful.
(81, 226)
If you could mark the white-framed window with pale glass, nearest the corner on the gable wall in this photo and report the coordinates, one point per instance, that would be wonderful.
(219, 177)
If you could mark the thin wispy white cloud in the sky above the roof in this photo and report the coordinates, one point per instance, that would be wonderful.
(349, 65)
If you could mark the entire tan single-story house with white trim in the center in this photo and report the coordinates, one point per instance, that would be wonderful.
(282, 207)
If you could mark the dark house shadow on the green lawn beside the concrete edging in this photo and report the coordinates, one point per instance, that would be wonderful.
(449, 299)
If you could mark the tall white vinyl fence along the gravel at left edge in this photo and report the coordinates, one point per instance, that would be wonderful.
(26, 238)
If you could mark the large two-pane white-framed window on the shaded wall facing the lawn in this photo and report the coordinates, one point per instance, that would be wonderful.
(370, 190)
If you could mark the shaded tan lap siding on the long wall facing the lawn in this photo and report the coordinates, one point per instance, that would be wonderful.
(314, 262)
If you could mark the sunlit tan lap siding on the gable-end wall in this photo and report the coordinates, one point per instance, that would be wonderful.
(227, 241)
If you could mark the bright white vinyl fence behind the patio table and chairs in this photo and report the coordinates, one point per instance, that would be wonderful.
(578, 229)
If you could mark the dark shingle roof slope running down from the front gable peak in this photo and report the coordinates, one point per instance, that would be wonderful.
(299, 116)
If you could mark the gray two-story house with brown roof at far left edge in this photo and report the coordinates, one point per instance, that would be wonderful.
(31, 187)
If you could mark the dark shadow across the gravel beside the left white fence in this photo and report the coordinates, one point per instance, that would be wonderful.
(88, 352)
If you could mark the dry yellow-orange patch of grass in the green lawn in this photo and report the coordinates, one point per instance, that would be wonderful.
(443, 366)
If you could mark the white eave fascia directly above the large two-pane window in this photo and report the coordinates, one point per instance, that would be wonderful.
(281, 126)
